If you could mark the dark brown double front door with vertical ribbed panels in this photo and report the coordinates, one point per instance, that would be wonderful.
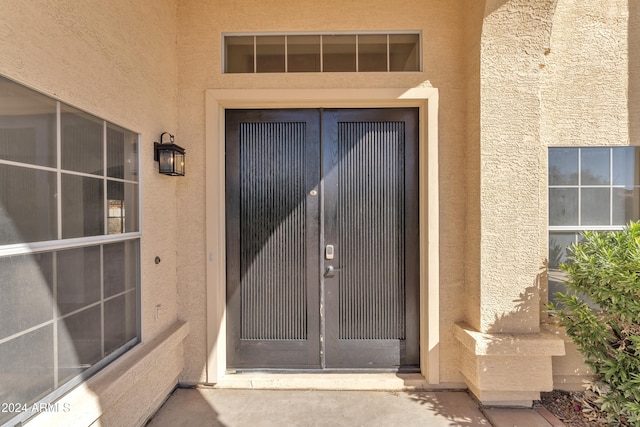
(322, 239)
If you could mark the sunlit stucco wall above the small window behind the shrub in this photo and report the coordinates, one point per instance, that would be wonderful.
(589, 96)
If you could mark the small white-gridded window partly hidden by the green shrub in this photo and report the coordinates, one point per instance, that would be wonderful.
(590, 188)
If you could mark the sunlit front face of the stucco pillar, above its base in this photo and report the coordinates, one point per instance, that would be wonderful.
(515, 37)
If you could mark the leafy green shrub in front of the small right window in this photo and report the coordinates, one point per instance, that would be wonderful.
(604, 269)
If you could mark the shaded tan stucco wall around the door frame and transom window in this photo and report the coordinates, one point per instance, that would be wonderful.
(199, 39)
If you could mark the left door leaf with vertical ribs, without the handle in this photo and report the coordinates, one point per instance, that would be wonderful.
(272, 235)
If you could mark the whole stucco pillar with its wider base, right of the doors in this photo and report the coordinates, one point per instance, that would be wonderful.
(505, 221)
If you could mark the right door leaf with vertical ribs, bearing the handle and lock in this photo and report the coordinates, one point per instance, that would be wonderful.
(371, 215)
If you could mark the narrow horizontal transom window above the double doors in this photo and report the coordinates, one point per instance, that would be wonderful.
(322, 52)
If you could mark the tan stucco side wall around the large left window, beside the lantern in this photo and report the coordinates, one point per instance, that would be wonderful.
(115, 59)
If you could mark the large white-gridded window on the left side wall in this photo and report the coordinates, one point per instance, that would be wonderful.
(69, 247)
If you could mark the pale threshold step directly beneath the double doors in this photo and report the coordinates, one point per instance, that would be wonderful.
(383, 381)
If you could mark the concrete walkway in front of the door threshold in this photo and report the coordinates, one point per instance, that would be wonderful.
(256, 408)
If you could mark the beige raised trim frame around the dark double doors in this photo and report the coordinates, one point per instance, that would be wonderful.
(217, 100)
